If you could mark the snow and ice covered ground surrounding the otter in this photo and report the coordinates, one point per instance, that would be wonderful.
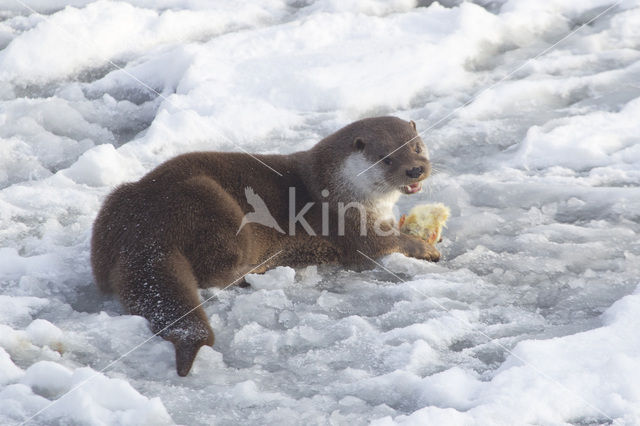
(532, 317)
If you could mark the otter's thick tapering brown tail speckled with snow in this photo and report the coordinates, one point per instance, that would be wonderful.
(164, 290)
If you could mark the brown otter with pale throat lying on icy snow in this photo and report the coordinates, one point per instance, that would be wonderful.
(193, 222)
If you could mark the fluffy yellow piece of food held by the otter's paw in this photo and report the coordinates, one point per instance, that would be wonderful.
(425, 221)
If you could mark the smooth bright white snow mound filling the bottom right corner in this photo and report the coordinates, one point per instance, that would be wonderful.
(580, 377)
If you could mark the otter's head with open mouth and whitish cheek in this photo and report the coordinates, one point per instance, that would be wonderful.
(386, 156)
